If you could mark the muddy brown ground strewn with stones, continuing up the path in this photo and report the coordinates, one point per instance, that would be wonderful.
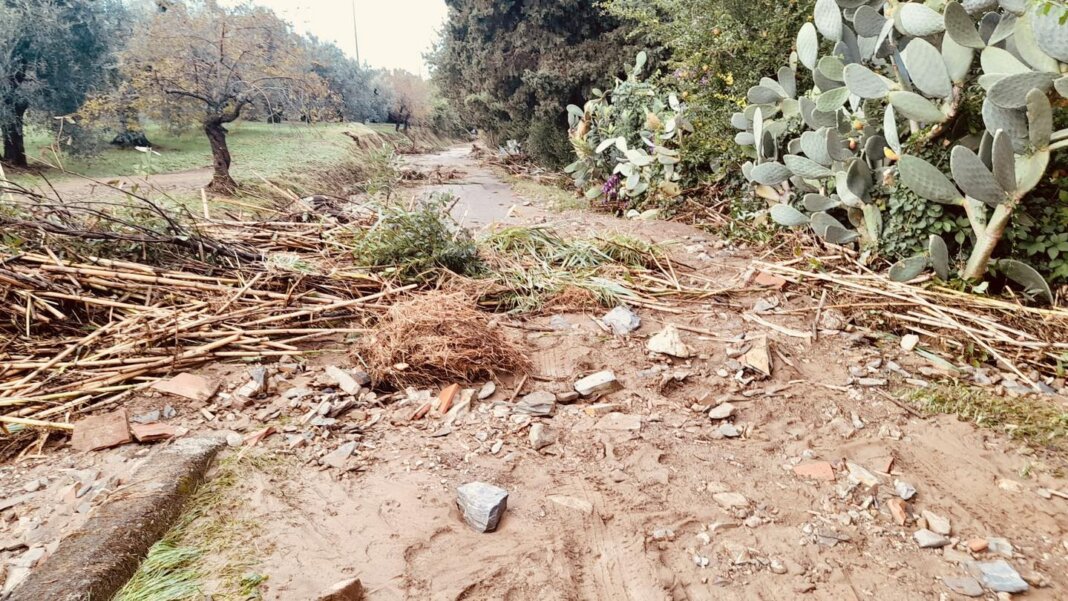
(636, 505)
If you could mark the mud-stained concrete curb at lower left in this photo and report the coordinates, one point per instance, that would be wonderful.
(95, 562)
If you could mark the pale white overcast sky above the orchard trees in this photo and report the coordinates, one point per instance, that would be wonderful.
(394, 34)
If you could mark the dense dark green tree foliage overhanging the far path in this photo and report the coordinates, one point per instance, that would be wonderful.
(510, 68)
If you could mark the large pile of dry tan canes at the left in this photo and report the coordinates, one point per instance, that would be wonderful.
(77, 335)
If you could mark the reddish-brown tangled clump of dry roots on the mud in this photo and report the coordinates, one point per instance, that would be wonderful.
(437, 339)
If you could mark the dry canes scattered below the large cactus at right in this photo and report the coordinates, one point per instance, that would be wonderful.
(1031, 342)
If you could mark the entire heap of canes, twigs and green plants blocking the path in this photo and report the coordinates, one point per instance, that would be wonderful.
(101, 298)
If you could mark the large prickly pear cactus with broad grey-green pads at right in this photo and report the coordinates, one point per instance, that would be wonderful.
(890, 76)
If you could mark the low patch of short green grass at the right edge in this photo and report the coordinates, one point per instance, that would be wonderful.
(1036, 421)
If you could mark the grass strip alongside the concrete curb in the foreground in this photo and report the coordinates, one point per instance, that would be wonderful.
(213, 551)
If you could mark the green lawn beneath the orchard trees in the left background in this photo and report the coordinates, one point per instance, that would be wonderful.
(261, 148)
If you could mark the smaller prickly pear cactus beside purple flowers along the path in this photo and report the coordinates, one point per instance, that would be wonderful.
(627, 143)
